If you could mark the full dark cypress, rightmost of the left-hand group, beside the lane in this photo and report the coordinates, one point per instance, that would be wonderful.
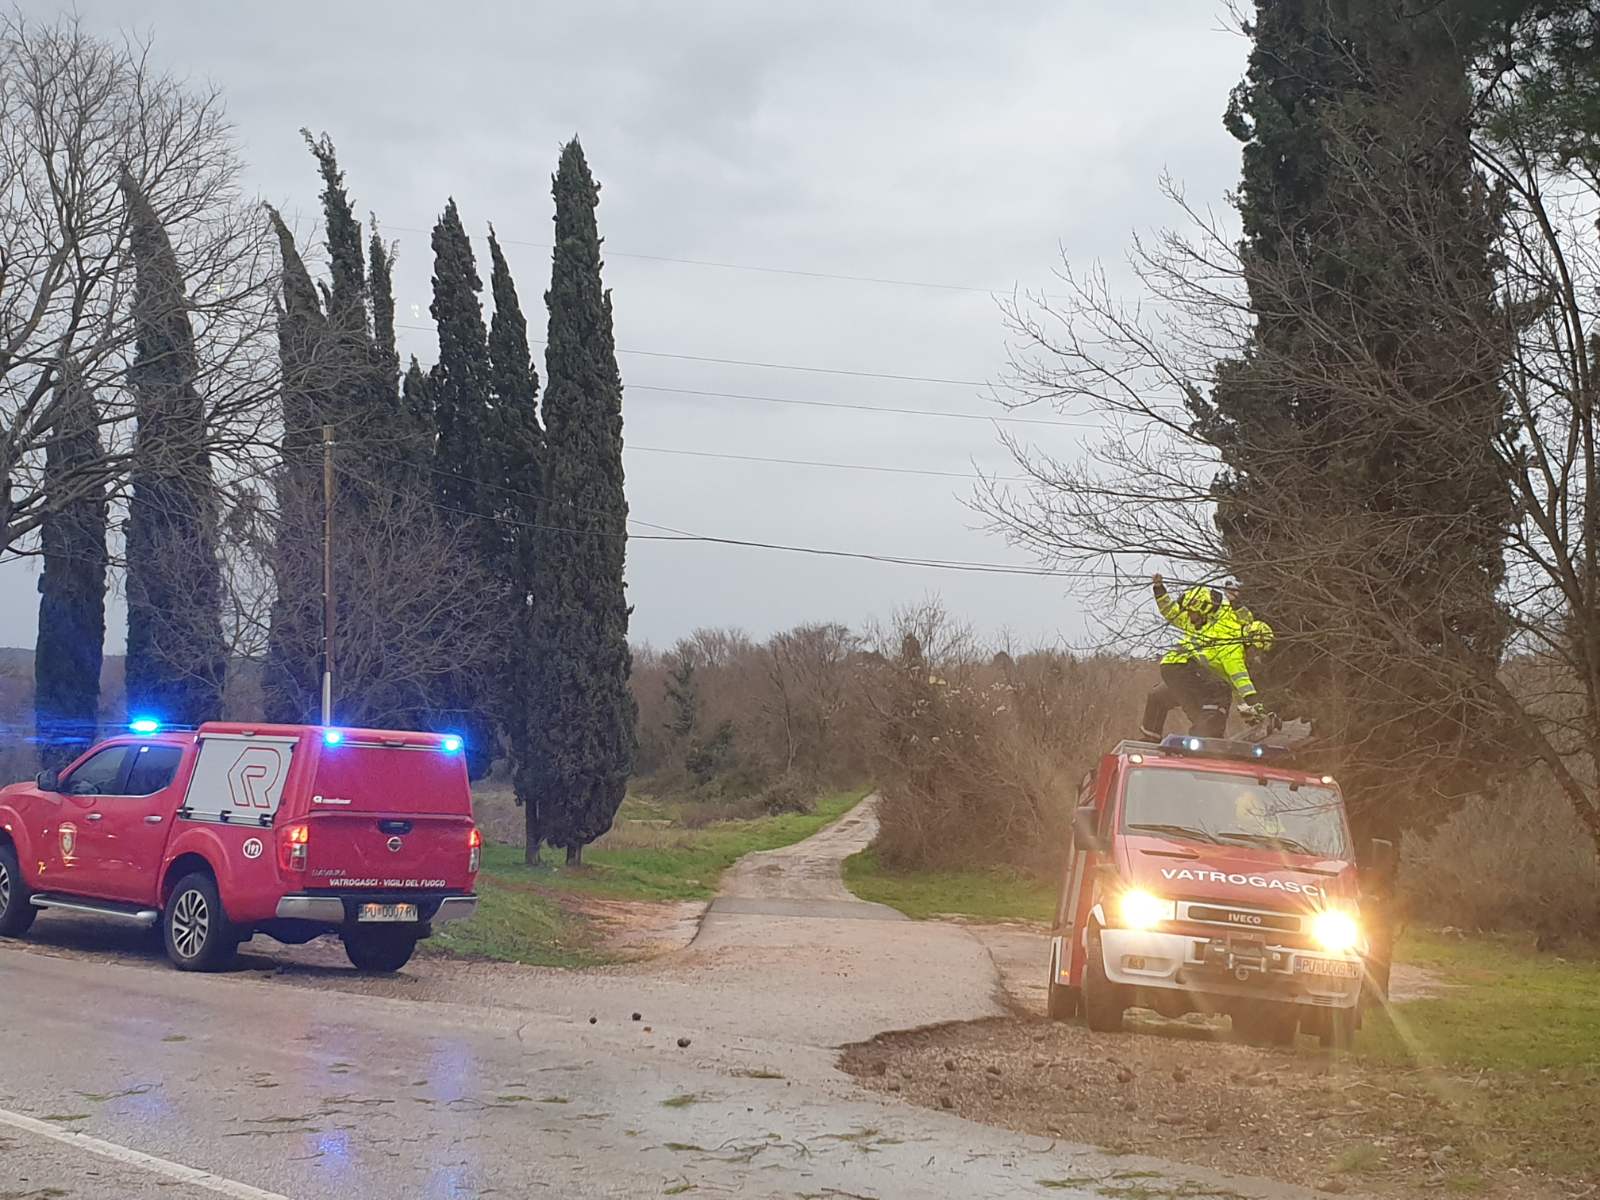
(582, 716)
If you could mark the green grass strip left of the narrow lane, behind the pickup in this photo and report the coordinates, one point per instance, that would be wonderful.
(647, 857)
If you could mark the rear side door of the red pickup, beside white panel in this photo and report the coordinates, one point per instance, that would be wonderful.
(130, 839)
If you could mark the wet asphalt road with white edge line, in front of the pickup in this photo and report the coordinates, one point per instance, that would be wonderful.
(295, 1079)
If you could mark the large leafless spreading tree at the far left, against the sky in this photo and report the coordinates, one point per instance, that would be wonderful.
(78, 116)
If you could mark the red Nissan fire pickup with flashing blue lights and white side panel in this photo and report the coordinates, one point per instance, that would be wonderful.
(294, 831)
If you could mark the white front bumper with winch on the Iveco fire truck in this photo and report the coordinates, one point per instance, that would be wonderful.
(1228, 967)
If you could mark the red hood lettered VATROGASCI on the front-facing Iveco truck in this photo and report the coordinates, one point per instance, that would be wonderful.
(1265, 879)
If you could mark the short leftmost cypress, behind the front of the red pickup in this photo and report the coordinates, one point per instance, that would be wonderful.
(73, 586)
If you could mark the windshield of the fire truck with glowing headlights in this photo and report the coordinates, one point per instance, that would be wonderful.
(1234, 810)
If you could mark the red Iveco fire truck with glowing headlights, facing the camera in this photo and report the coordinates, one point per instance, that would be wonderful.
(1210, 876)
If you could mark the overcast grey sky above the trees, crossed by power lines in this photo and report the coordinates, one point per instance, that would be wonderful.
(942, 143)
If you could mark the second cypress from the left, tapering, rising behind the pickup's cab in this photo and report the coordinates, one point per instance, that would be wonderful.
(177, 657)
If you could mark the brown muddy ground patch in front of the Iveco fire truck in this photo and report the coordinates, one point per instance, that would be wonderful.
(1185, 1092)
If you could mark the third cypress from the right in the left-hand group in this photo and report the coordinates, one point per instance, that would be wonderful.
(463, 410)
